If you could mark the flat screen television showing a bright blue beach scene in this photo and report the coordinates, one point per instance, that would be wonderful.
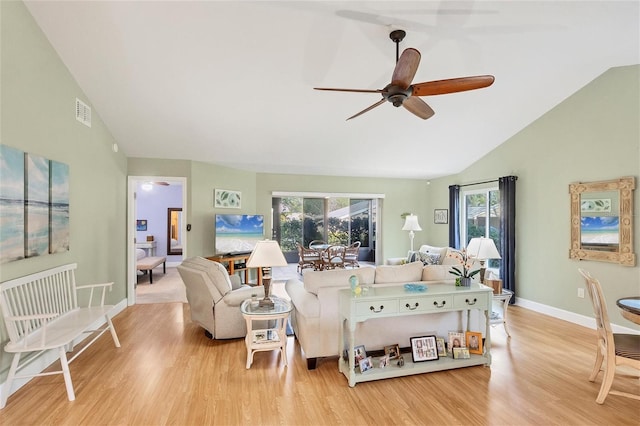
(238, 233)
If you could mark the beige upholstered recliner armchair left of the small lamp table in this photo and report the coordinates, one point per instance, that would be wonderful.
(214, 297)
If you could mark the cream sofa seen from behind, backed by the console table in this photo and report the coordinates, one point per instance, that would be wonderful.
(315, 308)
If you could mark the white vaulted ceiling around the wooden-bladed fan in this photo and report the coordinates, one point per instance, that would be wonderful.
(230, 82)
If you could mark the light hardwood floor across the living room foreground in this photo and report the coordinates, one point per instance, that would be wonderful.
(168, 372)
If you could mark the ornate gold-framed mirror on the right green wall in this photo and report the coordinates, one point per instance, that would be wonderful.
(602, 221)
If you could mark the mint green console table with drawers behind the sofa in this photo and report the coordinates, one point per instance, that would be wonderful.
(395, 301)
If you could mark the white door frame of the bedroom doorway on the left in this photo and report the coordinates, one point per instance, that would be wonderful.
(132, 182)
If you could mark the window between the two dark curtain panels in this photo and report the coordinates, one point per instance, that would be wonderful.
(481, 209)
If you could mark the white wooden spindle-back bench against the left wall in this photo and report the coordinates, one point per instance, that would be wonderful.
(41, 313)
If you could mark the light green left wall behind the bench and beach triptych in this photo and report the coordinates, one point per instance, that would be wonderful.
(37, 102)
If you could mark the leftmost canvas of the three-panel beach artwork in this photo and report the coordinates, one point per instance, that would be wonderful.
(11, 204)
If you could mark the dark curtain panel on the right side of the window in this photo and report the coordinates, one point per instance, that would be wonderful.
(507, 187)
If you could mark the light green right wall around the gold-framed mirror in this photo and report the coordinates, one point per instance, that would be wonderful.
(592, 135)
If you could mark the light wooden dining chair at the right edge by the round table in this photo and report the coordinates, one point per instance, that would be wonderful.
(614, 349)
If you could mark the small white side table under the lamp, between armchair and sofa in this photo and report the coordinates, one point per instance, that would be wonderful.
(271, 334)
